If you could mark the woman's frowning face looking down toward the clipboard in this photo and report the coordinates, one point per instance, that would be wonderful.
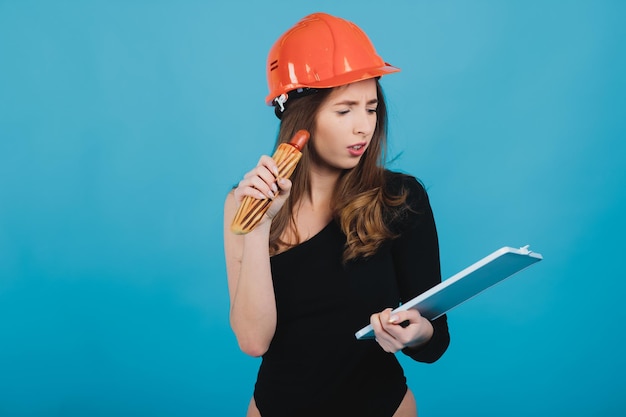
(344, 125)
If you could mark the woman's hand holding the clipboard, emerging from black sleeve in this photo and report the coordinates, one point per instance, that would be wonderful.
(403, 329)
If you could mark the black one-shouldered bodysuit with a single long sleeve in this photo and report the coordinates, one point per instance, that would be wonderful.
(315, 366)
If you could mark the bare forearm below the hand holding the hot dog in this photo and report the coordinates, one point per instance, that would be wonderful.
(253, 307)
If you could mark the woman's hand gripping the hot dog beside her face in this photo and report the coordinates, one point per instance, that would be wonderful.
(262, 183)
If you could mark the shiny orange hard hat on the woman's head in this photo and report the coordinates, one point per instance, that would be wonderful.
(321, 51)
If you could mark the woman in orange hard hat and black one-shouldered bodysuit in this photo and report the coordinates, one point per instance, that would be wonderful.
(345, 240)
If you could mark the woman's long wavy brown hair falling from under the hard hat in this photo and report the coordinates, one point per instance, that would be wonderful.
(360, 202)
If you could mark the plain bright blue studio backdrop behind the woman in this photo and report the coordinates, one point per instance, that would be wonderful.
(124, 123)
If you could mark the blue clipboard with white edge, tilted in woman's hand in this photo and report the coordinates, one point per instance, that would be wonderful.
(466, 284)
